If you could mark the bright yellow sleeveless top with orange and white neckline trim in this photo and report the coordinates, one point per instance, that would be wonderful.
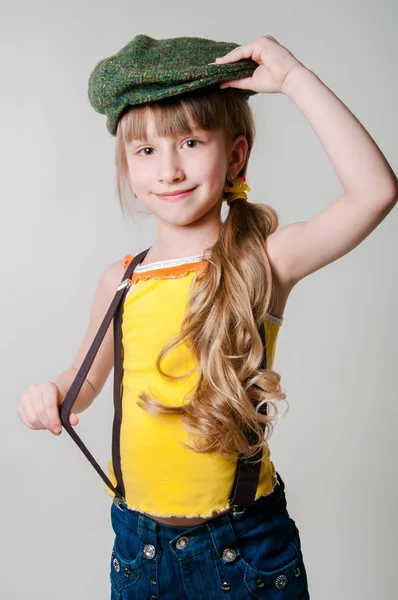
(161, 477)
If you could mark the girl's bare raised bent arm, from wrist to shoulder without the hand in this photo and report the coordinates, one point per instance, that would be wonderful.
(369, 184)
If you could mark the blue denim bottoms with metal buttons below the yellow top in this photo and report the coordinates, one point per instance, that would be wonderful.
(256, 554)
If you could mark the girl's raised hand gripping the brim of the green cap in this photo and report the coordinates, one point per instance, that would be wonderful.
(275, 62)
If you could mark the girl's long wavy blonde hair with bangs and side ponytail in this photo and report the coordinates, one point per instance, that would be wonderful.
(235, 292)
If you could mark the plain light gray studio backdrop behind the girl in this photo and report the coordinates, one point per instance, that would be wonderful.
(61, 226)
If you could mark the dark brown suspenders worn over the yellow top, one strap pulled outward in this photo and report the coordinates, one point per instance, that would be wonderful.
(247, 474)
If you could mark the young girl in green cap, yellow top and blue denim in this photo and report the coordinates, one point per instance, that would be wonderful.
(201, 313)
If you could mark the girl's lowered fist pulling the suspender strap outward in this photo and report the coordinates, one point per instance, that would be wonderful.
(39, 408)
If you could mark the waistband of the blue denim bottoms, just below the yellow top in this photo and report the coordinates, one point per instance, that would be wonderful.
(223, 529)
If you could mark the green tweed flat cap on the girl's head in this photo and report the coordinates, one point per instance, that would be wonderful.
(146, 70)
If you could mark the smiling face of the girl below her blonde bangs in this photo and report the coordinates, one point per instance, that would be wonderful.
(160, 165)
